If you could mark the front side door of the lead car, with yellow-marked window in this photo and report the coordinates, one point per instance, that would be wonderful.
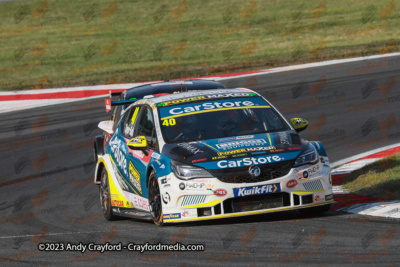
(139, 123)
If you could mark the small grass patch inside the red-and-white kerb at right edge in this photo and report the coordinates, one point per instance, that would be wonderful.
(380, 179)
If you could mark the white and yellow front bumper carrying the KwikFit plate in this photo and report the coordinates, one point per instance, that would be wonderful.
(209, 198)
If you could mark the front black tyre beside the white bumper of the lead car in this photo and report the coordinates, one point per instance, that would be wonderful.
(155, 200)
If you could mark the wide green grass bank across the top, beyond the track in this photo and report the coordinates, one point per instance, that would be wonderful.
(69, 43)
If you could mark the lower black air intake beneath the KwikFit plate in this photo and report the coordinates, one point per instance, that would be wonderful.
(256, 202)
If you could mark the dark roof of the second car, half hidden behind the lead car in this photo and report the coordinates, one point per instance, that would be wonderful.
(170, 87)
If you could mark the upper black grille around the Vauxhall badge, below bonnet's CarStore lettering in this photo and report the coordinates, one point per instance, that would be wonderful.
(241, 174)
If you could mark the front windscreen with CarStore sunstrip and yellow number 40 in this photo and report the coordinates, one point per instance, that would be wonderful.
(218, 119)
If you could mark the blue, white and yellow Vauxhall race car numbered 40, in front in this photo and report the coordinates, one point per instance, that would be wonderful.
(208, 154)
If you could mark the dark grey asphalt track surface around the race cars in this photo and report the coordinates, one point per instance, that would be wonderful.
(47, 194)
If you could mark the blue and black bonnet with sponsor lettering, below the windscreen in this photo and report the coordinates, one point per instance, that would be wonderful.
(258, 149)
